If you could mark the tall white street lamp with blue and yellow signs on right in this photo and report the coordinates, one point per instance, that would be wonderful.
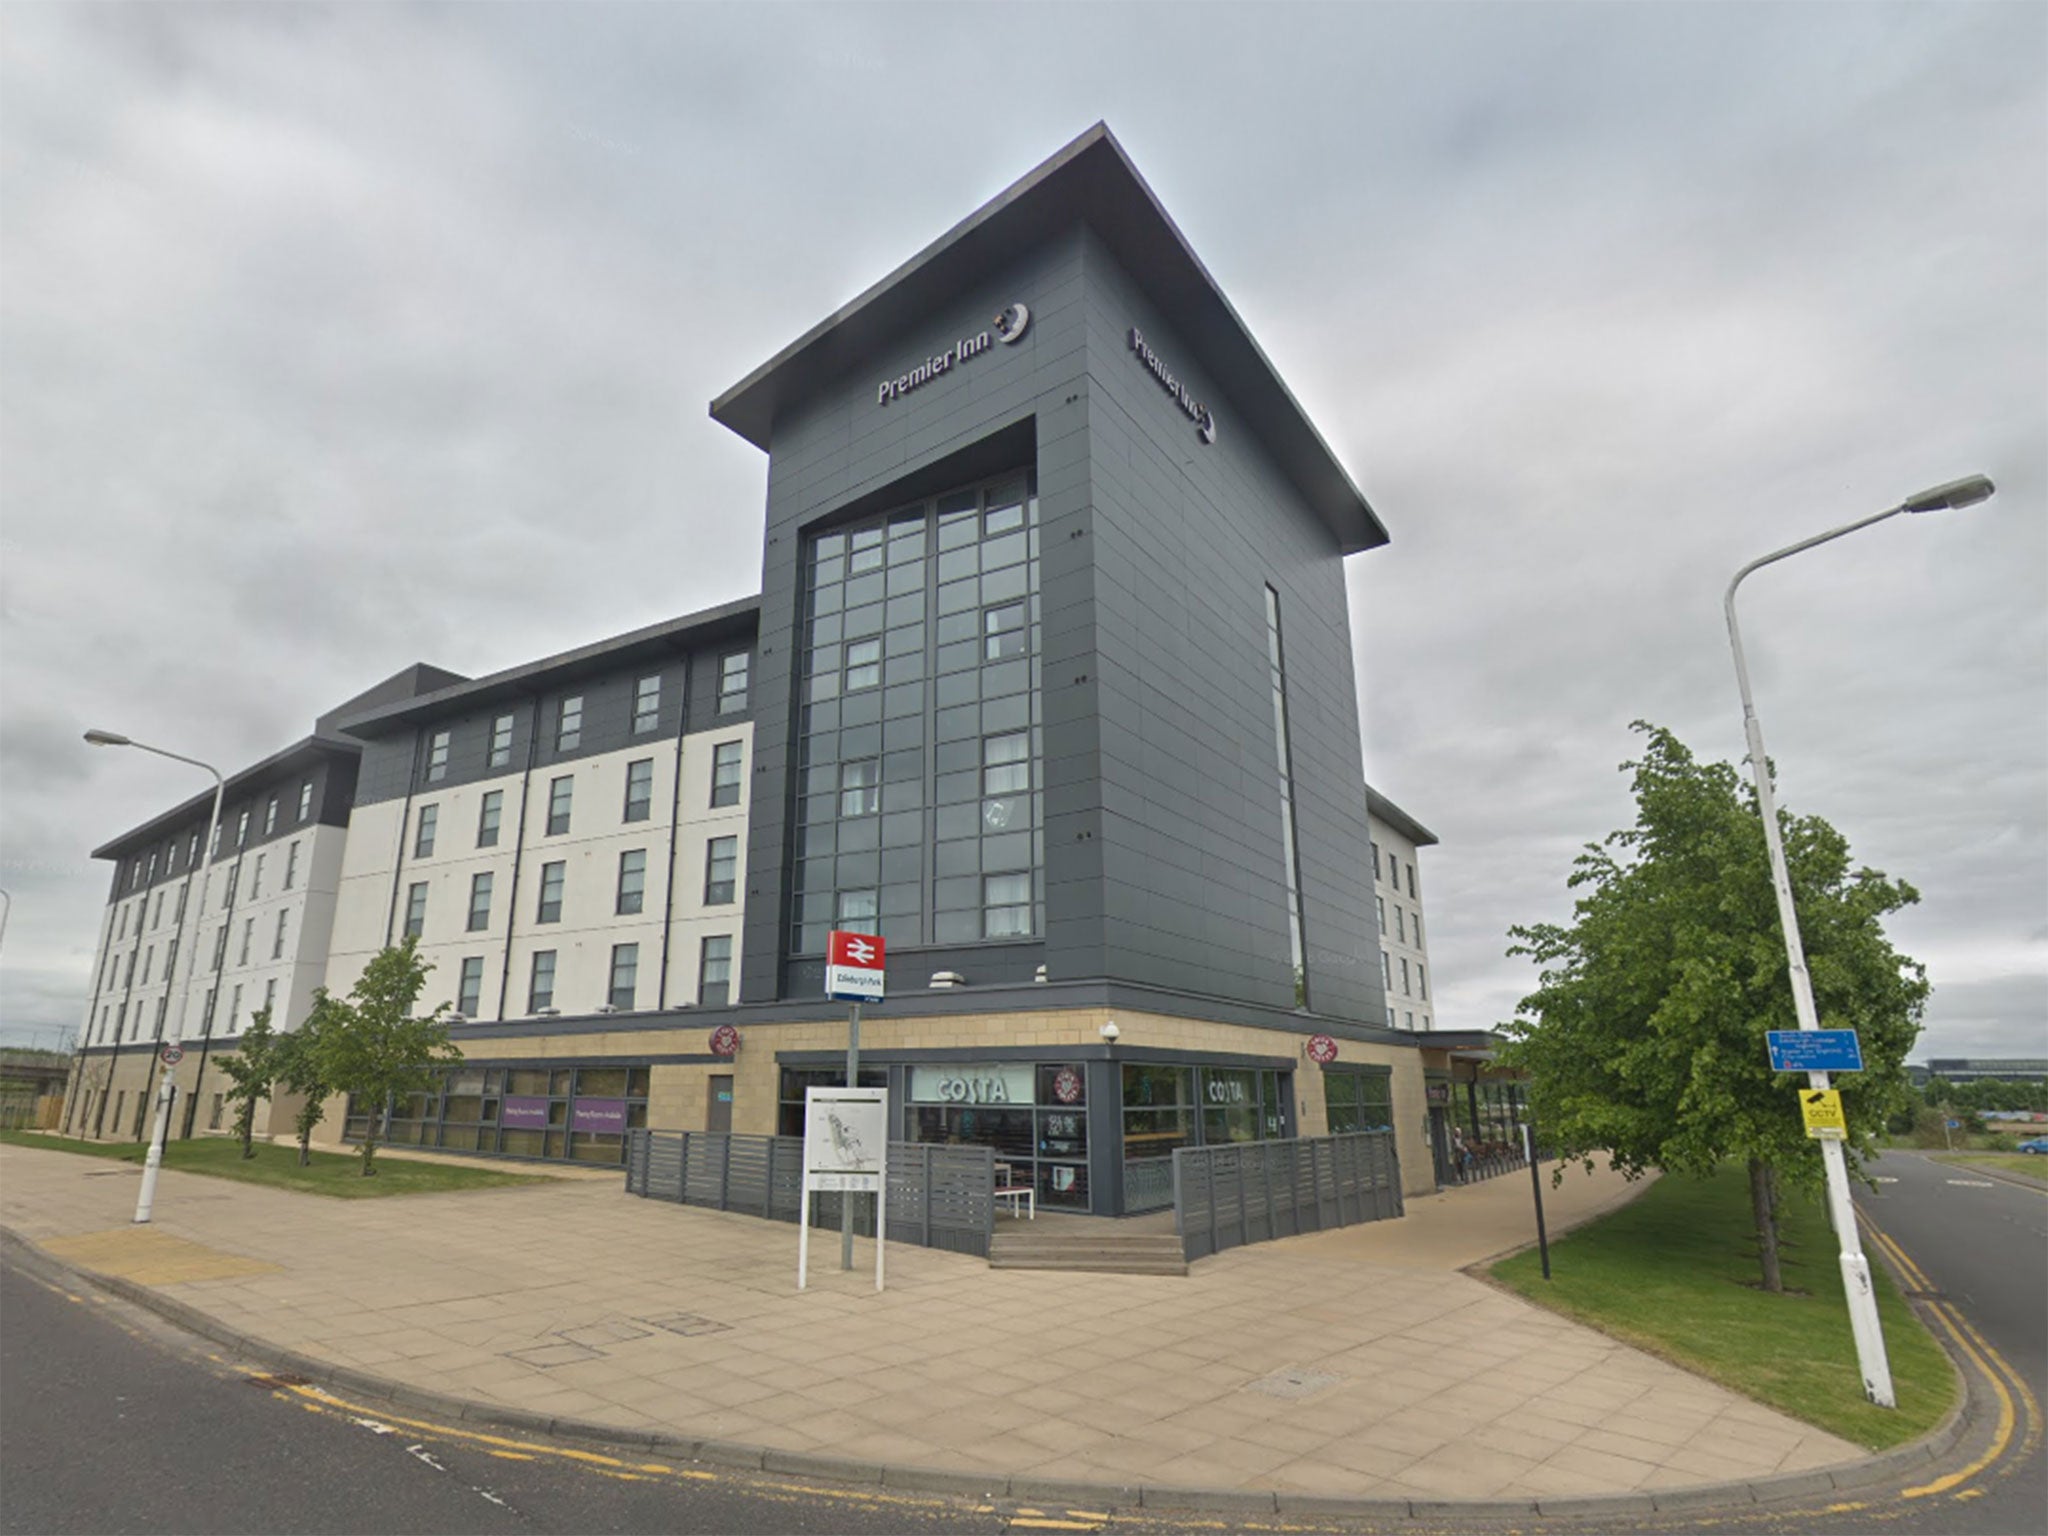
(1854, 1267)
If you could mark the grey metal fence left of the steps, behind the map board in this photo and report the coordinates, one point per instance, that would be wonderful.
(939, 1197)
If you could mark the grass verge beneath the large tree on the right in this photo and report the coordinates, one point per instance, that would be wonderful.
(1676, 1273)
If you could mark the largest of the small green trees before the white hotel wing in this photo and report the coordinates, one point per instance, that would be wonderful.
(374, 1048)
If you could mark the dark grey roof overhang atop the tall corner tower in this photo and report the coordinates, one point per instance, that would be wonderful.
(1089, 183)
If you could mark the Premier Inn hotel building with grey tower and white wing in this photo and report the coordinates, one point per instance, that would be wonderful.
(1050, 683)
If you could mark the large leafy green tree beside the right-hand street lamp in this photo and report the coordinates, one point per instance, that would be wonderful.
(1646, 1035)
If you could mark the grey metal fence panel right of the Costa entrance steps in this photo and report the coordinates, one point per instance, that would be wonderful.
(1258, 1191)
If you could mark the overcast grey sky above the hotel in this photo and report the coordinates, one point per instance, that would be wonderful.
(341, 339)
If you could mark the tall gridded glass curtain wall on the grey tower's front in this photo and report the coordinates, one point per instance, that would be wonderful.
(921, 740)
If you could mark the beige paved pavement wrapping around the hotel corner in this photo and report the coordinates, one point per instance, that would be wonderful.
(1359, 1365)
